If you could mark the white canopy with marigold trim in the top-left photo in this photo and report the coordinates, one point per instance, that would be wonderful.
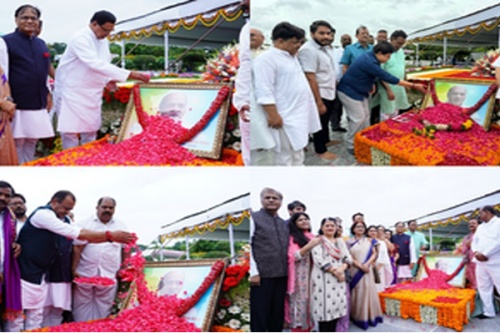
(183, 24)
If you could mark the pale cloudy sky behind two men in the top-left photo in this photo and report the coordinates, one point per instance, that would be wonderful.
(63, 18)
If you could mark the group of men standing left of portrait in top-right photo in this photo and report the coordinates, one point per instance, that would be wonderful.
(301, 86)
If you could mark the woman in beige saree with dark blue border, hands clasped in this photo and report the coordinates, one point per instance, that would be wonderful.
(365, 303)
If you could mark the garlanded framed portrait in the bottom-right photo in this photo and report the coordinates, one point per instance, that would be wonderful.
(447, 263)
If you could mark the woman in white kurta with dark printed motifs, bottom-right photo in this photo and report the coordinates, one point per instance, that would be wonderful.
(328, 289)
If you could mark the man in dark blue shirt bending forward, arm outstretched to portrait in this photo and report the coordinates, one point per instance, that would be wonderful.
(359, 82)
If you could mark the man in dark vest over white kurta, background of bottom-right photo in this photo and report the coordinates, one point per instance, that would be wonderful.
(407, 254)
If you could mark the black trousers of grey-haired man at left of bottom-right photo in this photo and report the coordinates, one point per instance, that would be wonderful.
(267, 305)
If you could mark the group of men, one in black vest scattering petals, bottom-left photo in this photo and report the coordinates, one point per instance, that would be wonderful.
(43, 253)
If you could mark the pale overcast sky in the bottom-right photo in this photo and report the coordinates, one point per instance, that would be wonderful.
(384, 195)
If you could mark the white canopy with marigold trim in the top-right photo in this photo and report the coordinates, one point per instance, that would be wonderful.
(479, 28)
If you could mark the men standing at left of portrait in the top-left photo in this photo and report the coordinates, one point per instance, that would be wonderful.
(83, 72)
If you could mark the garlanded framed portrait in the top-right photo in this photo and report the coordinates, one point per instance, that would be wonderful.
(465, 93)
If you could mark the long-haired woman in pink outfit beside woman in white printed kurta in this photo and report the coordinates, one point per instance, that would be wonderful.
(297, 301)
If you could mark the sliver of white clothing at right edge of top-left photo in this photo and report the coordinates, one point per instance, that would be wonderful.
(243, 80)
